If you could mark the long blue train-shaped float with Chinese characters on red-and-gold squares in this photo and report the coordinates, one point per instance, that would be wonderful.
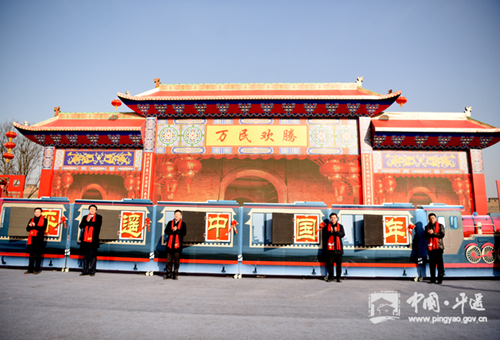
(255, 239)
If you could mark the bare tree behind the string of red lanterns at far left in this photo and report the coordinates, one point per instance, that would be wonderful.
(27, 157)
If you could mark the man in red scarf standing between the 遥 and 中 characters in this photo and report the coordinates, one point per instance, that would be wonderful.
(176, 230)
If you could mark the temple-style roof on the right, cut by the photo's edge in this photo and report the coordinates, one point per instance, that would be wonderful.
(431, 130)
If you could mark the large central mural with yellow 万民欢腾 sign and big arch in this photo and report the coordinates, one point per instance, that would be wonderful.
(257, 160)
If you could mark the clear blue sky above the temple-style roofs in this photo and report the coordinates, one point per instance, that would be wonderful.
(443, 55)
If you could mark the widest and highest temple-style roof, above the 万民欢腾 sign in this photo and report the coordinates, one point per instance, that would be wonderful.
(259, 100)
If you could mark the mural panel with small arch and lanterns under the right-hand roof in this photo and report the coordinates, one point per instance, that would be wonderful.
(422, 177)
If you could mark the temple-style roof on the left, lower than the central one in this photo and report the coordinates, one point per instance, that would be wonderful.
(83, 129)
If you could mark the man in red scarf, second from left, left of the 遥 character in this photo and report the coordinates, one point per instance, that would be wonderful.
(91, 225)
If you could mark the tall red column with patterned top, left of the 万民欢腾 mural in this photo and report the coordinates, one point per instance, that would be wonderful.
(148, 159)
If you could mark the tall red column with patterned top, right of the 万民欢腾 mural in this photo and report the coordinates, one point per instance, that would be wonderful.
(366, 150)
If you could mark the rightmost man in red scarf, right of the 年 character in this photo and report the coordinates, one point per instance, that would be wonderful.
(434, 233)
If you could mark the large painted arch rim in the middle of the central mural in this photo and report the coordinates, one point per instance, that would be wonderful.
(272, 177)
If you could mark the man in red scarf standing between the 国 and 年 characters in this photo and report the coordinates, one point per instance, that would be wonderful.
(332, 246)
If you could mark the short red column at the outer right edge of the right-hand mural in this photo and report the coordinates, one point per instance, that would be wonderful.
(478, 182)
